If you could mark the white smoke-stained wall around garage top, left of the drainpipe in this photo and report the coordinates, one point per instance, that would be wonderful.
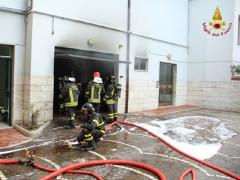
(68, 29)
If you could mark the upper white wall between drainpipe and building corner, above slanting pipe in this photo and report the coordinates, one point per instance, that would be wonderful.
(160, 19)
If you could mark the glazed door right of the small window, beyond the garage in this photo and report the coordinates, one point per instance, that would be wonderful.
(166, 84)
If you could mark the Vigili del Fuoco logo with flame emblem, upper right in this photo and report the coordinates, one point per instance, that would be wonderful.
(217, 27)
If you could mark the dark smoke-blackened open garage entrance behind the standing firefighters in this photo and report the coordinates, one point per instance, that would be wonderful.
(83, 63)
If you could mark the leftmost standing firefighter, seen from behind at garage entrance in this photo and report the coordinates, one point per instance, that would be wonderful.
(70, 94)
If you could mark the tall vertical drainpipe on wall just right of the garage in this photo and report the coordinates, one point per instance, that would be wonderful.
(128, 54)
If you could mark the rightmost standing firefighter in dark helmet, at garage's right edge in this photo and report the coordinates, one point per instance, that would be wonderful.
(111, 97)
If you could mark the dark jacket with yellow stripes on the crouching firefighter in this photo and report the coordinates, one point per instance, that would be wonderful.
(94, 121)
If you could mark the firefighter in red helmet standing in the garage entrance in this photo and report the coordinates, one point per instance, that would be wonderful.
(94, 91)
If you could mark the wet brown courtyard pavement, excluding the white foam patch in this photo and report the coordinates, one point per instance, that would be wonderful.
(125, 142)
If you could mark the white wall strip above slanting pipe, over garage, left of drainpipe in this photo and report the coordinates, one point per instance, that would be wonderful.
(103, 12)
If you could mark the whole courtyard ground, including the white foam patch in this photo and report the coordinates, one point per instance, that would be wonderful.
(211, 136)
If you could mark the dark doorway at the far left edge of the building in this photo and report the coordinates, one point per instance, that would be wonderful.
(6, 83)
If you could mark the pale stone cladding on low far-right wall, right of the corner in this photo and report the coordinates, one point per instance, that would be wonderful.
(215, 95)
